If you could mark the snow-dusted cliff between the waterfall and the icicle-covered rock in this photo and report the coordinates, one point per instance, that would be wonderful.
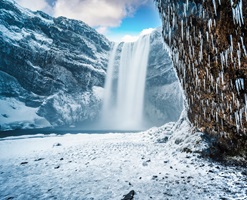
(163, 96)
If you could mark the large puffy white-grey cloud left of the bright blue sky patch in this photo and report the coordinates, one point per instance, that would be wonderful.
(97, 13)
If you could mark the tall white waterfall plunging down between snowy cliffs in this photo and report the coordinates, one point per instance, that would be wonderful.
(125, 85)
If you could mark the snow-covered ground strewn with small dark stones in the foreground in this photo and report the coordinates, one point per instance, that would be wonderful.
(108, 166)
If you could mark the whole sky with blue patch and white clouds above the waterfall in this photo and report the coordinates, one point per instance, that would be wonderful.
(113, 18)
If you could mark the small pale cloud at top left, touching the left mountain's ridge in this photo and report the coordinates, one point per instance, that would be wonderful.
(36, 5)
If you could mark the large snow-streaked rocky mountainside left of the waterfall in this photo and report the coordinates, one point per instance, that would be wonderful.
(51, 69)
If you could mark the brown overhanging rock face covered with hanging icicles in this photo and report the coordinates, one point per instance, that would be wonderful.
(208, 41)
